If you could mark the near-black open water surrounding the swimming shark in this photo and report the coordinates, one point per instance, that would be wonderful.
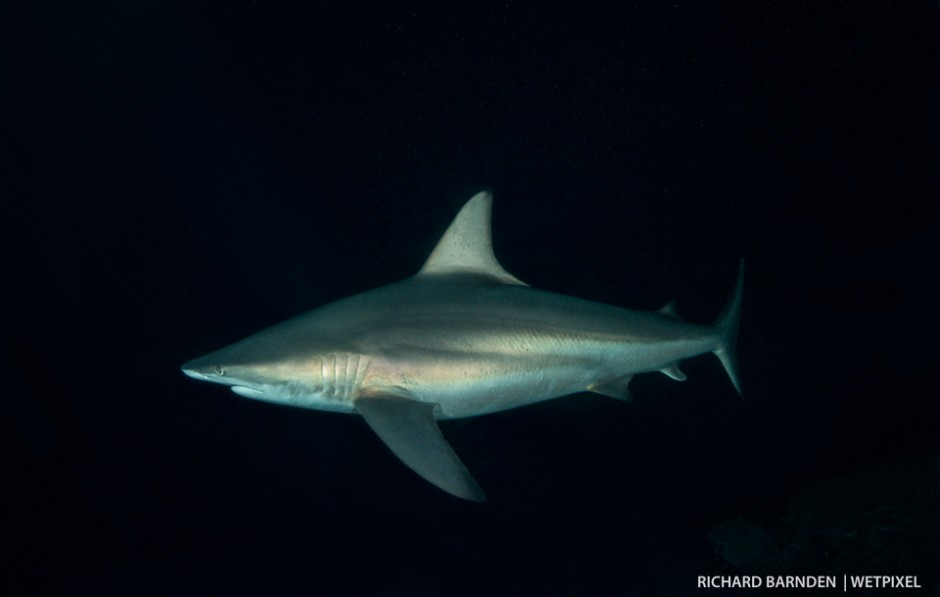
(177, 175)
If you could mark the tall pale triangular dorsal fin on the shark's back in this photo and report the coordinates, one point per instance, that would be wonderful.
(467, 246)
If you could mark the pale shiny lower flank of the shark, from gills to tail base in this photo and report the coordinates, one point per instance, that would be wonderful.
(502, 372)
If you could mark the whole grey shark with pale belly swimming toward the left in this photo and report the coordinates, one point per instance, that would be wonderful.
(463, 337)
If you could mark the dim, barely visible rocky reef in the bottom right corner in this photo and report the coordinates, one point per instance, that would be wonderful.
(881, 521)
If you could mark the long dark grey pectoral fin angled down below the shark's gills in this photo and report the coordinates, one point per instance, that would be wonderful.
(408, 428)
